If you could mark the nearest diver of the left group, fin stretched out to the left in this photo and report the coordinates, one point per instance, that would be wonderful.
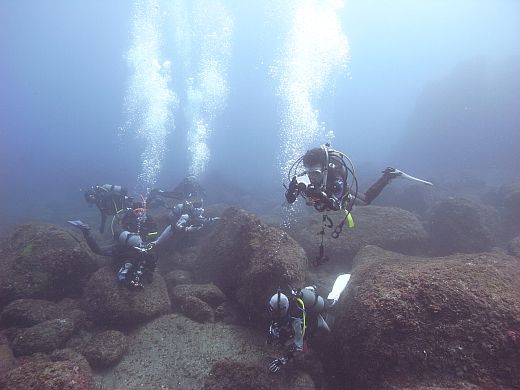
(132, 252)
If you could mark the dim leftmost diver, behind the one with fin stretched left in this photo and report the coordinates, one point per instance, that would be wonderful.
(109, 199)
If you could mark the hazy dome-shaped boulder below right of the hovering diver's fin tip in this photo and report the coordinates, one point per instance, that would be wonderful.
(461, 225)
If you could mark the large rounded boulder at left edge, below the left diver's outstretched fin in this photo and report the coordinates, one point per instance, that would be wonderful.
(43, 261)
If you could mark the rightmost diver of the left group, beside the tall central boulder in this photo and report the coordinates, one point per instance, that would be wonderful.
(186, 217)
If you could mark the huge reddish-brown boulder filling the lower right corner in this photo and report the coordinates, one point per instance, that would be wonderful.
(453, 318)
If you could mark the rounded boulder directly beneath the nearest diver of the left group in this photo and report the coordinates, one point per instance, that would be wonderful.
(110, 303)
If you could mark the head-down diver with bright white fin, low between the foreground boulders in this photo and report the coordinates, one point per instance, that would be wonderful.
(298, 315)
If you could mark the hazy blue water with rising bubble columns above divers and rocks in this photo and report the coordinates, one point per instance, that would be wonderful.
(143, 93)
